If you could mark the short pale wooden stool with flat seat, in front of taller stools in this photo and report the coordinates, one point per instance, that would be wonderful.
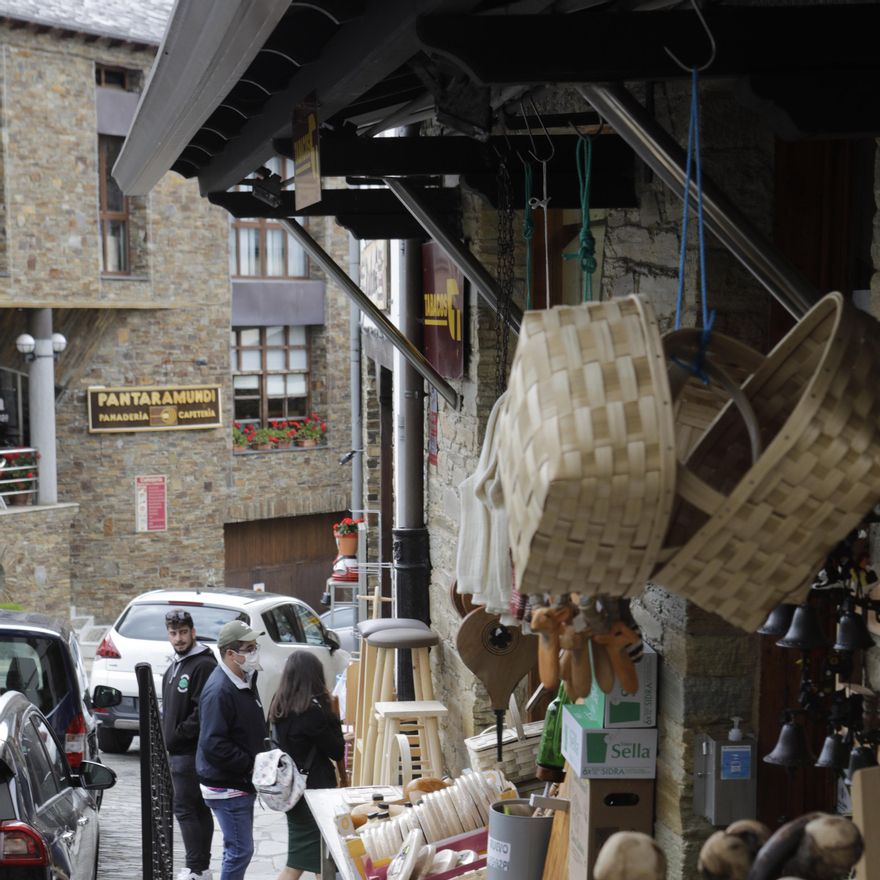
(410, 730)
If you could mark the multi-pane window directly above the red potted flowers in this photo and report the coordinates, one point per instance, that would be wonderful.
(270, 373)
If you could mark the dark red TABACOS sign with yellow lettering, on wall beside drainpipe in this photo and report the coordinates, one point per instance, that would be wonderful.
(443, 287)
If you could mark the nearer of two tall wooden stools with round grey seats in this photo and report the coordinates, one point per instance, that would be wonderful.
(385, 643)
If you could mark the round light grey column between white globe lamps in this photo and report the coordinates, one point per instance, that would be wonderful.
(41, 398)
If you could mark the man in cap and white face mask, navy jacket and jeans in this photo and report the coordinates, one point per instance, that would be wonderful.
(233, 730)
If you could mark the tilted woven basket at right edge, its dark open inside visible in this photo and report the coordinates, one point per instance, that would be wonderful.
(752, 535)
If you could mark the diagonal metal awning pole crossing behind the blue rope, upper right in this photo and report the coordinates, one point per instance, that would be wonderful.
(667, 159)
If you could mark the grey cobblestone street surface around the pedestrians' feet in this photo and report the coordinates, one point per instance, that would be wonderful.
(120, 857)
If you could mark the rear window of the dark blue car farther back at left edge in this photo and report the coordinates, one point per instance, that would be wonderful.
(35, 666)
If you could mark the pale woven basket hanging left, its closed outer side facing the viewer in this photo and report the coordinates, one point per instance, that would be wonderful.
(586, 448)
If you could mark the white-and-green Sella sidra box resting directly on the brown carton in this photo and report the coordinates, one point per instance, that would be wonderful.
(621, 752)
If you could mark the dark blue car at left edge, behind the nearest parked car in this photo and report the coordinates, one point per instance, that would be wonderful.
(40, 657)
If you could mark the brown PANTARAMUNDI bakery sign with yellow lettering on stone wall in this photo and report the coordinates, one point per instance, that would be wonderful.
(160, 408)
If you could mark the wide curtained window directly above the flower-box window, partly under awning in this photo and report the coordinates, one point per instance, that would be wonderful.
(261, 248)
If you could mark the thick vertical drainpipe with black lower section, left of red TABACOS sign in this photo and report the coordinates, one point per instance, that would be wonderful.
(409, 537)
